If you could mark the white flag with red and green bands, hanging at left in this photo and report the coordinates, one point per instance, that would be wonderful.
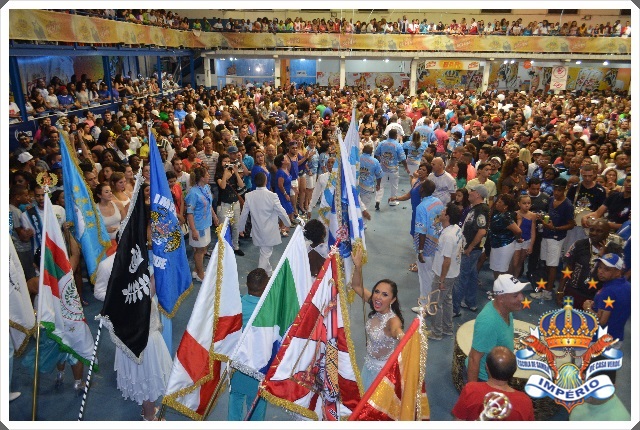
(59, 309)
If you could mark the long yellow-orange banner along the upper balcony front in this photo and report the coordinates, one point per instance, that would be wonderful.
(40, 25)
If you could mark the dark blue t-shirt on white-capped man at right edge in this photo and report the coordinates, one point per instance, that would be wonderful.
(618, 290)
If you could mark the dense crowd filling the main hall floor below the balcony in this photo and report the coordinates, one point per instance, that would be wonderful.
(532, 182)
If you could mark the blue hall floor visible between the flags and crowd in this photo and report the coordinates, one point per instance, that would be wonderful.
(390, 253)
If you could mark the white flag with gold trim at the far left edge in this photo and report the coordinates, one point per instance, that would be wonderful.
(22, 321)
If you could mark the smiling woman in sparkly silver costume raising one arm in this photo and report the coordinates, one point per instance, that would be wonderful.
(385, 324)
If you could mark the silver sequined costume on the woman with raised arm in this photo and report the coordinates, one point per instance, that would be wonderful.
(379, 347)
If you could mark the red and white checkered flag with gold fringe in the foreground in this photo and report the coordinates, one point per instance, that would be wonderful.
(314, 372)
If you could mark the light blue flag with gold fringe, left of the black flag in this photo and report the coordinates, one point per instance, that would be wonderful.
(88, 227)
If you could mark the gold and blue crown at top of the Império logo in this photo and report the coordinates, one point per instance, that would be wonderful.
(568, 327)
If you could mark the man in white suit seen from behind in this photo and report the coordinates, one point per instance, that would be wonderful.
(265, 209)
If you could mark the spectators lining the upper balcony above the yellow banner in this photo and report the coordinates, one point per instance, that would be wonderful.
(403, 25)
